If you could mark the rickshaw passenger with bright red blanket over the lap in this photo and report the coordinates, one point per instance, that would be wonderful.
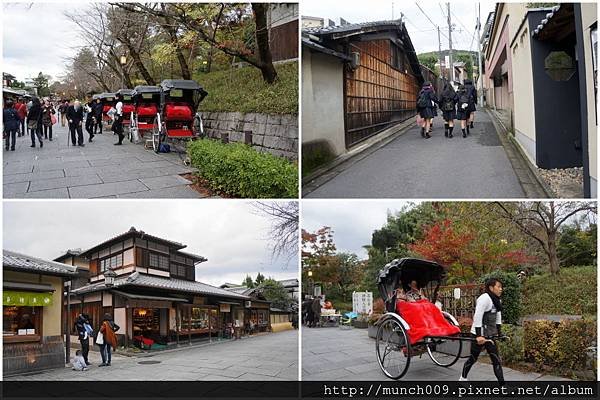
(423, 317)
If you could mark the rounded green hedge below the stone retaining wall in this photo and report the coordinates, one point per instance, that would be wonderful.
(239, 170)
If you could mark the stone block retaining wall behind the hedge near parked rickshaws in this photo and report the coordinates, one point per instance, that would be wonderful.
(275, 134)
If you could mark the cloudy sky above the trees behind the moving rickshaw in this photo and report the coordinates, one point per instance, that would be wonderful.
(353, 221)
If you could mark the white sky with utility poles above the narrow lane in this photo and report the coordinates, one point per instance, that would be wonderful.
(422, 32)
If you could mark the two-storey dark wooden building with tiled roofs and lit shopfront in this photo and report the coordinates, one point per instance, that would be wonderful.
(148, 285)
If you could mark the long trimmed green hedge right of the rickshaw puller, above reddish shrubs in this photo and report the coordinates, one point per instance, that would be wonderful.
(573, 291)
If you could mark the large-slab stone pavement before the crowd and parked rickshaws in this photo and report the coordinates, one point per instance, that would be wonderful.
(98, 170)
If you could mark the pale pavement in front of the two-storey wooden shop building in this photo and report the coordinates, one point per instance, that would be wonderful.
(266, 357)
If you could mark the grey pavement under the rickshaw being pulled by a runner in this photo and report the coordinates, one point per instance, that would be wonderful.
(330, 354)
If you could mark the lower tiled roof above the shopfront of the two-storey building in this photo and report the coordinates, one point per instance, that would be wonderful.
(142, 280)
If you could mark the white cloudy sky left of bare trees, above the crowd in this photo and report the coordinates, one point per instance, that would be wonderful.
(38, 37)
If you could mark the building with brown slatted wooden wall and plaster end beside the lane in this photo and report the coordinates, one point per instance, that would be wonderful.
(358, 80)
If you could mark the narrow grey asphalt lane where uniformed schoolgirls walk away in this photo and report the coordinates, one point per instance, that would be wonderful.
(412, 167)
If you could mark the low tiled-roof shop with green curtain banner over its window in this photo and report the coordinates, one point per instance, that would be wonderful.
(31, 312)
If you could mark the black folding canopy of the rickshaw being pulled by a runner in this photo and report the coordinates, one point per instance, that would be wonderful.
(399, 273)
